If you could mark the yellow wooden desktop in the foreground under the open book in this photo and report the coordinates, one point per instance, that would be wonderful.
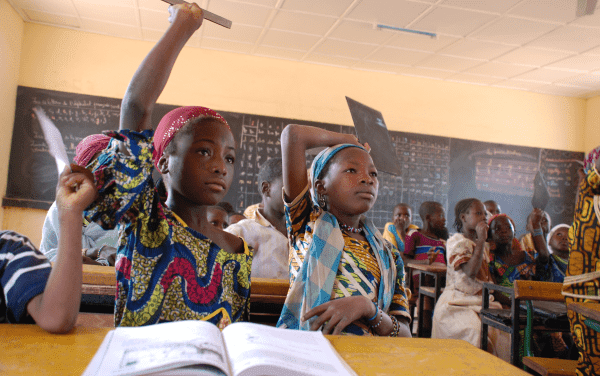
(28, 350)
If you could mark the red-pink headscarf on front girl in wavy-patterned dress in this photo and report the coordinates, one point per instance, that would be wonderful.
(173, 121)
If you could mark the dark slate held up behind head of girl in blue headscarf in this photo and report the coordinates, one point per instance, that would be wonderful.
(371, 129)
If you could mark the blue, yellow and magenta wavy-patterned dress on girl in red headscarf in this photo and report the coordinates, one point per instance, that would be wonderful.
(166, 271)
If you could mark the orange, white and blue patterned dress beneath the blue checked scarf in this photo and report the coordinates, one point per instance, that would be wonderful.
(358, 272)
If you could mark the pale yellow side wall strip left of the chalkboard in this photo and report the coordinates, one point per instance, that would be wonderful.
(11, 38)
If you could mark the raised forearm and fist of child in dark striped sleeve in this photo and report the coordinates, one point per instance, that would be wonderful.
(56, 309)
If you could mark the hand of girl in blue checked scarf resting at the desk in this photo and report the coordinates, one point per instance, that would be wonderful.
(337, 314)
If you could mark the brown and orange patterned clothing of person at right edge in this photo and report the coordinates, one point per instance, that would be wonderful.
(582, 279)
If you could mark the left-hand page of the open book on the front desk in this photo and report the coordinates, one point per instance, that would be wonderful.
(156, 348)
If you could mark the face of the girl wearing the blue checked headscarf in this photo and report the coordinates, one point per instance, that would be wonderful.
(351, 184)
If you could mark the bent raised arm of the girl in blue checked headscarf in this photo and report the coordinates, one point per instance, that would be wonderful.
(295, 141)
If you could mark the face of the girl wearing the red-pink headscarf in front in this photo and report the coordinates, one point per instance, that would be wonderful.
(201, 168)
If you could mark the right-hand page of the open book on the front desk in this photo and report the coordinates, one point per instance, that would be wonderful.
(256, 349)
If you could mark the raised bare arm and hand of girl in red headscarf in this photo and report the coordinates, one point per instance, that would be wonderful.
(152, 75)
